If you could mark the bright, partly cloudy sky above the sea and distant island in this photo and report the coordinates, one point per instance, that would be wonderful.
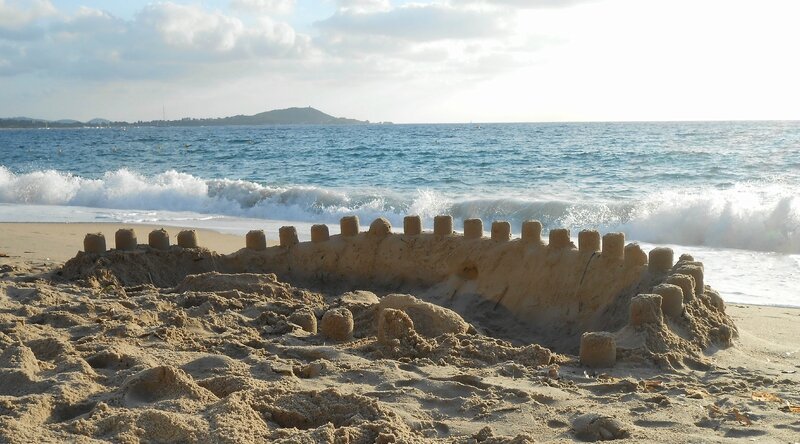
(402, 61)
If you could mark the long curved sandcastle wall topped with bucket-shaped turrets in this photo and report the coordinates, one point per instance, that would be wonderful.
(604, 299)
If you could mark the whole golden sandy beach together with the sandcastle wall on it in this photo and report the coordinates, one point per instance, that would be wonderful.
(358, 340)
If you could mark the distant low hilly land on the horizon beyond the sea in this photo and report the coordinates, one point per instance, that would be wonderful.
(288, 116)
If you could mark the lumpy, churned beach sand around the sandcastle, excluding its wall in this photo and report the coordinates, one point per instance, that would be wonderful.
(236, 358)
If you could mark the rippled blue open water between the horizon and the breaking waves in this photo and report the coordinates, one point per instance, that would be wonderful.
(605, 161)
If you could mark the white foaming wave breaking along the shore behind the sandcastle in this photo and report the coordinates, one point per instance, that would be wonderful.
(761, 217)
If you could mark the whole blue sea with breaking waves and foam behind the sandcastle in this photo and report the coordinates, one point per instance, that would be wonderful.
(727, 193)
